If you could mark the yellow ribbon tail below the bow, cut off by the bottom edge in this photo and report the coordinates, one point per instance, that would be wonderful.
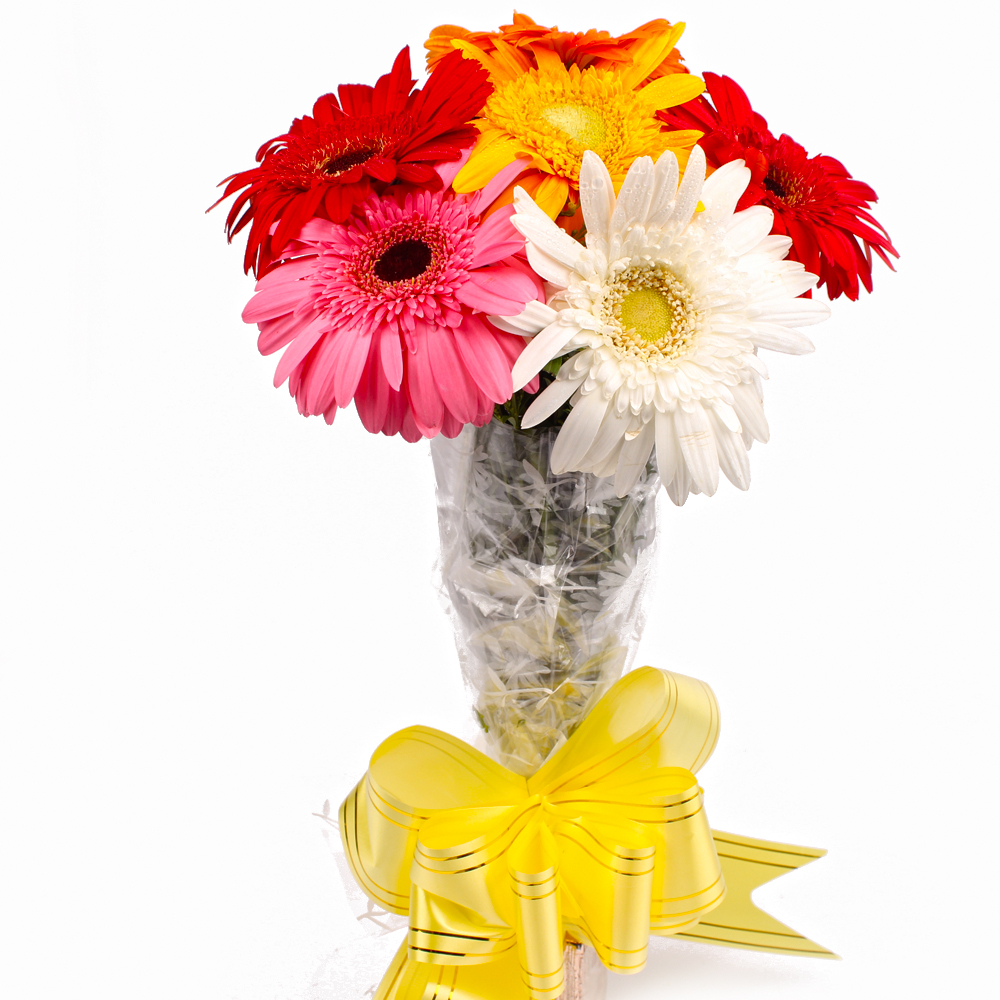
(406, 979)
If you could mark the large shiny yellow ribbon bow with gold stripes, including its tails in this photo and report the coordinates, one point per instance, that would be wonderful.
(607, 843)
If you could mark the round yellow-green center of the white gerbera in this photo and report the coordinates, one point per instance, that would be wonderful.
(649, 314)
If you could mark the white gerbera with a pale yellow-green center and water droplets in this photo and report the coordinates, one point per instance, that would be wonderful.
(669, 305)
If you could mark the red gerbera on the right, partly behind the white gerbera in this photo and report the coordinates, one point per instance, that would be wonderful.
(815, 200)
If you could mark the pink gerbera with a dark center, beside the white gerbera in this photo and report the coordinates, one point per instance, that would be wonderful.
(388, 310)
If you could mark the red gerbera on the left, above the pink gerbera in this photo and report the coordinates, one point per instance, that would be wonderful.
(370, 138)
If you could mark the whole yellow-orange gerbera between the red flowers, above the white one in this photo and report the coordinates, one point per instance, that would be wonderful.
(550, 115)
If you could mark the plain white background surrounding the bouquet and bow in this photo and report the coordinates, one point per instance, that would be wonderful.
(215, 609)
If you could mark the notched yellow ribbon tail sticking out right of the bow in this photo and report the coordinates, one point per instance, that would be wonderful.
(737, 922)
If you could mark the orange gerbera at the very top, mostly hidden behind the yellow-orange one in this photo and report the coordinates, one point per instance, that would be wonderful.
(590, 48)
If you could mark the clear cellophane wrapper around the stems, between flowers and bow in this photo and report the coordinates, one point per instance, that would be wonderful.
(545, 575)
